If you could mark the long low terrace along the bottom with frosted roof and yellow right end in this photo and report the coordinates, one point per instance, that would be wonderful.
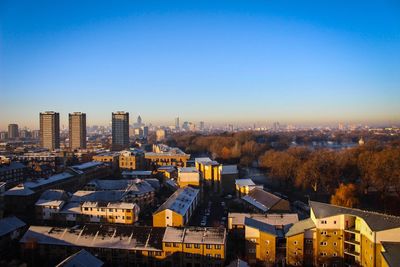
(119, 245)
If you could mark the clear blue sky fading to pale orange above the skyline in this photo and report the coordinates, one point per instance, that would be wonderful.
(298, 62)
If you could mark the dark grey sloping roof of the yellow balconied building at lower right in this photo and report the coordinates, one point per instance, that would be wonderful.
(376, 221)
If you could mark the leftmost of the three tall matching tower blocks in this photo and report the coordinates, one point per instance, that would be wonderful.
(50, 130)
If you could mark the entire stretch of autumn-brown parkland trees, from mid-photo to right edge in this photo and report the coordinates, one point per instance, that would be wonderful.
(373, 168)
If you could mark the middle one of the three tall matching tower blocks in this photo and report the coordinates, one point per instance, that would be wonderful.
(77, 130)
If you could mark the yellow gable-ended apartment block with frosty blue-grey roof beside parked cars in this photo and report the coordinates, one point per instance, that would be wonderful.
(177, 209)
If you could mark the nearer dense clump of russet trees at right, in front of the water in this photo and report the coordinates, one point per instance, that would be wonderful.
(363, 170)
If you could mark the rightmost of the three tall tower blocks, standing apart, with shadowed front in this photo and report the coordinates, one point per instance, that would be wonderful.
(120, 130)
